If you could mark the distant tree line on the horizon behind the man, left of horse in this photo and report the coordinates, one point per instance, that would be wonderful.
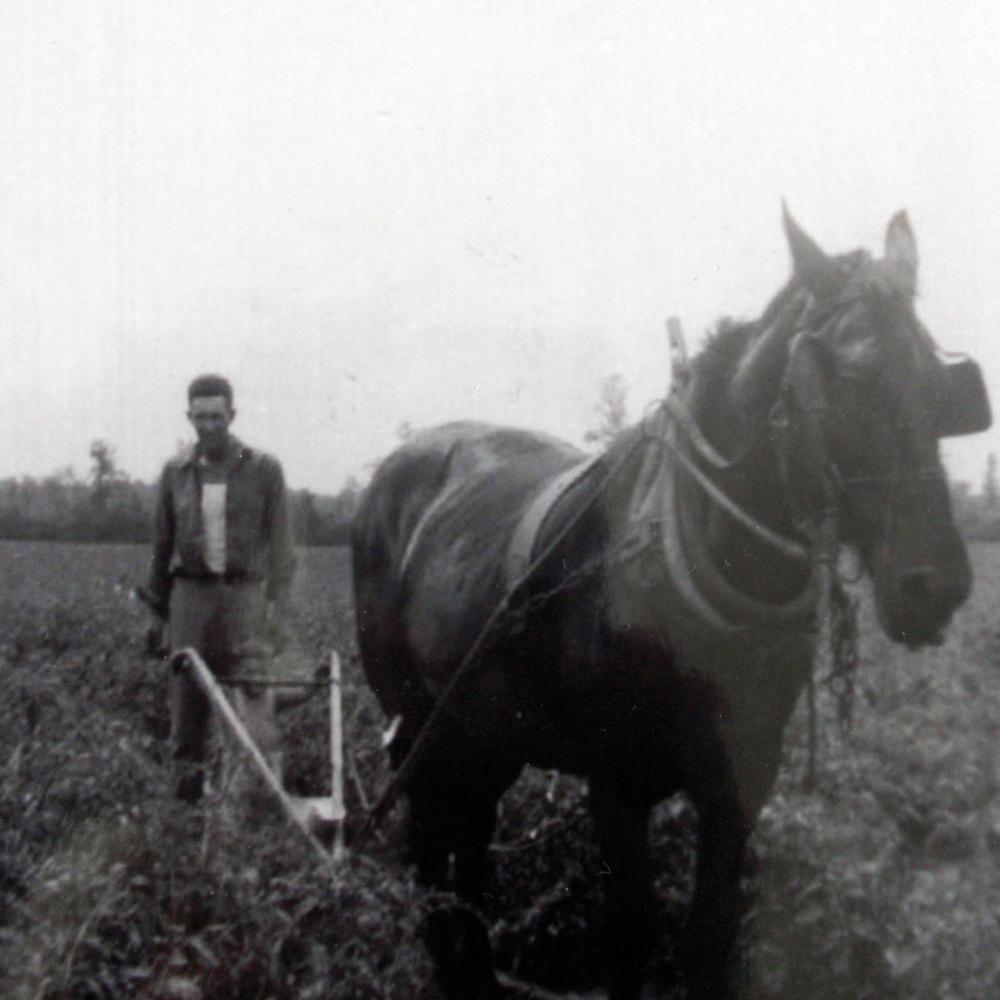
(107, 505)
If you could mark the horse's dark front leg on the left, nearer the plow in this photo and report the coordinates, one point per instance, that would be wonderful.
(623, 831)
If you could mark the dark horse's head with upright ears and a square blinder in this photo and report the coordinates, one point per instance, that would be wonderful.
(858, 398)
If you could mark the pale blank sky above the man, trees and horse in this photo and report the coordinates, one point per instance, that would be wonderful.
(376, 213)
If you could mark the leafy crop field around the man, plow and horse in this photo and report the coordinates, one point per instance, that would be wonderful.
(882, 883)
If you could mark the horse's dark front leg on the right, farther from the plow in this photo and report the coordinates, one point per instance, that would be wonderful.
(716, 909)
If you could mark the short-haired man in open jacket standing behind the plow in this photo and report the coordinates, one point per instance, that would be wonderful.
(222, 566)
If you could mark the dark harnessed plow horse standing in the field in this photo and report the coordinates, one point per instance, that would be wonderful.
(657, 603)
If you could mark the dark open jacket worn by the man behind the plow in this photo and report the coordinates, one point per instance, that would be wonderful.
(258, 530)
